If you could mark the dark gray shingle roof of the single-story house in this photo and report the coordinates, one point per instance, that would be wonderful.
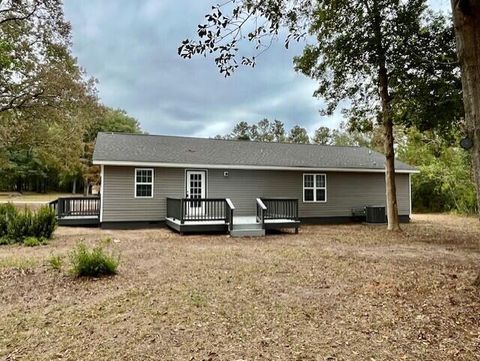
(129, 148)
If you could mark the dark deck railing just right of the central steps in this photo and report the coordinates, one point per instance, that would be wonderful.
(277, 208)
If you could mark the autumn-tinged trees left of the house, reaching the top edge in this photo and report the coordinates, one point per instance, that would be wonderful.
(49, 109)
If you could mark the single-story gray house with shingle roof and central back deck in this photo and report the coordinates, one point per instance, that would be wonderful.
(245, 187)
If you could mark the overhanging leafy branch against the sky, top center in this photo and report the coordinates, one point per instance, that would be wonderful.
(221, 33)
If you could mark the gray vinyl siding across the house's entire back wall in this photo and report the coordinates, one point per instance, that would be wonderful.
(344, 191)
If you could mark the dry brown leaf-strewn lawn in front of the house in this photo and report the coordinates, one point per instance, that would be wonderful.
(329, 293)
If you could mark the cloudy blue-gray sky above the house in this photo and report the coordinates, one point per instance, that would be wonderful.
(131, 48)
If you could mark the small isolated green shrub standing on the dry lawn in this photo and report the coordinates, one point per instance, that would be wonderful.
(86, 262)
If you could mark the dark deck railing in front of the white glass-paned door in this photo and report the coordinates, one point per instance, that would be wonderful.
(200, 209)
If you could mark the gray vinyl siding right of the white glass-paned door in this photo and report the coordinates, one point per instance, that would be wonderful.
(344, 190)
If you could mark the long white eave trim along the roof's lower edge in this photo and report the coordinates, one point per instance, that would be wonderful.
(245, 167)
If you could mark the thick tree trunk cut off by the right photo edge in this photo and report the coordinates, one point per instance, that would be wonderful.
(466, 19)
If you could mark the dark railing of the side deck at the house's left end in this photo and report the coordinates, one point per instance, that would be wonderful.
(76, 207)
